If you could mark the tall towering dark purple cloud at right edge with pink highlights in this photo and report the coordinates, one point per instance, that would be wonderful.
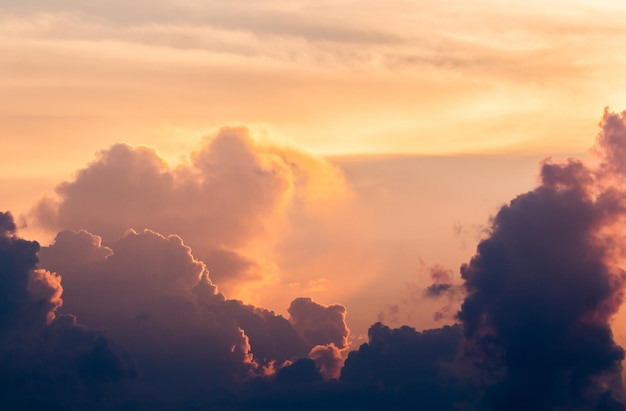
(542, 289)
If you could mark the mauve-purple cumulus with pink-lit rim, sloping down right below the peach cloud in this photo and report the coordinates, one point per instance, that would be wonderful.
(153, 296)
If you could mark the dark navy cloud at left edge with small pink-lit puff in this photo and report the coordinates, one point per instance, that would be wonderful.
(47, 359)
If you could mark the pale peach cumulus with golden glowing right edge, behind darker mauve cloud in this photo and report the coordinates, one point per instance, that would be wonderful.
(230, 202)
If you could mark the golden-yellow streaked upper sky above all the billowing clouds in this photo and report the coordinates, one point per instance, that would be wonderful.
(334, 78)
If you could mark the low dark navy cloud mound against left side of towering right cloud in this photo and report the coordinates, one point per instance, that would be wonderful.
(408, 368)
